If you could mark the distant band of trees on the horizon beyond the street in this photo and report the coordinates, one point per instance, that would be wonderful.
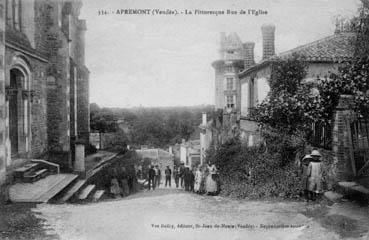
(155, 127)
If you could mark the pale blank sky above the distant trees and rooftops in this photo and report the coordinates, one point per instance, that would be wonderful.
(166, 60)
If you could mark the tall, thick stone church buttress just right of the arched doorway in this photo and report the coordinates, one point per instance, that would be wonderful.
(58, 93)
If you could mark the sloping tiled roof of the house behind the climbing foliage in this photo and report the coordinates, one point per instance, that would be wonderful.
(336, 48)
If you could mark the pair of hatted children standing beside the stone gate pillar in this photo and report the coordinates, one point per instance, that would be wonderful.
(311, 175)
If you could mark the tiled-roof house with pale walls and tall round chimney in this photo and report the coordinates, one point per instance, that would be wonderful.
(323, 57)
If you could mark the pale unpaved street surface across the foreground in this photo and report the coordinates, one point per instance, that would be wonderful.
(175, 214)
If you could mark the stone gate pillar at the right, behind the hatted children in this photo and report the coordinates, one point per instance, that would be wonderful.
(341, 138)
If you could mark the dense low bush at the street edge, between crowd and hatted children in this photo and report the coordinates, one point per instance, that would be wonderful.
(252, 173)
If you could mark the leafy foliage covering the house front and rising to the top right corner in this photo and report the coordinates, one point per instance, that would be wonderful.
(293, 104)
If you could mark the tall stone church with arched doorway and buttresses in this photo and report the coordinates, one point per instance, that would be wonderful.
(44, 83)
